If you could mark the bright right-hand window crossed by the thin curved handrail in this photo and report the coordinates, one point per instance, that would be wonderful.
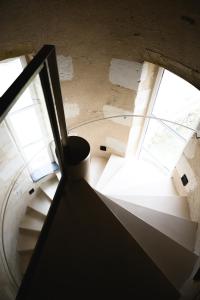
(178, 101)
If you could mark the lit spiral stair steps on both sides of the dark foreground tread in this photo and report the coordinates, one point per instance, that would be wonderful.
(146, 204)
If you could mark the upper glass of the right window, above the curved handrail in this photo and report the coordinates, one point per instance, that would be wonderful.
(178, 101)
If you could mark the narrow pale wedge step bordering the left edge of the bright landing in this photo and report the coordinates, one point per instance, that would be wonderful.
(113, 165)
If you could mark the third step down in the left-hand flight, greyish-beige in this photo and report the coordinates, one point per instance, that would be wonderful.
(32, 221)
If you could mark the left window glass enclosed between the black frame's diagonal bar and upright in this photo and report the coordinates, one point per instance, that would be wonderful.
(30, 127)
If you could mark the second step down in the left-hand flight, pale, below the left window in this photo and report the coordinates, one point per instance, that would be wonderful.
(41, 203)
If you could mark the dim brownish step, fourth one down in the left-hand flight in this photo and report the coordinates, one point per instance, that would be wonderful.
(27, 241)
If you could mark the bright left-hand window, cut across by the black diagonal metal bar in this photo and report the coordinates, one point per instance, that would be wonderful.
(26, 120)
